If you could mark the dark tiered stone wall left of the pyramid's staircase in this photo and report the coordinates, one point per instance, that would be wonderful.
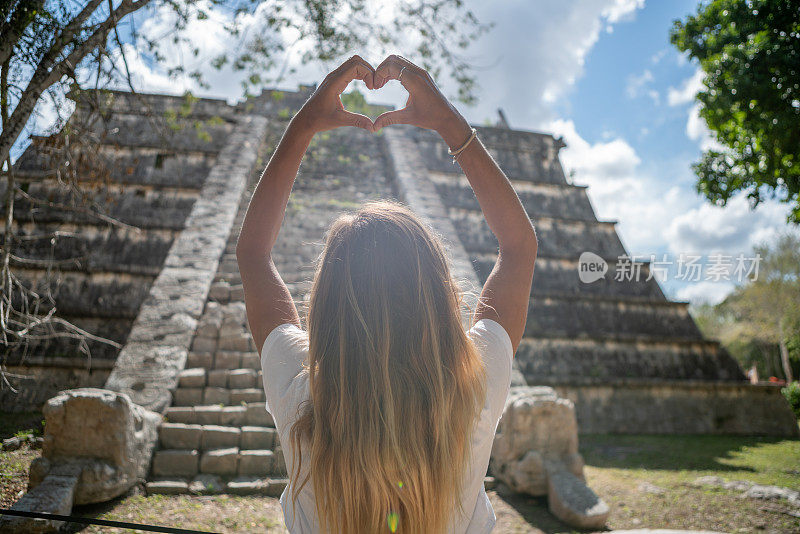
(155, 171)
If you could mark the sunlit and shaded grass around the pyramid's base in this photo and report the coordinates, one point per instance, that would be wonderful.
(647, 482)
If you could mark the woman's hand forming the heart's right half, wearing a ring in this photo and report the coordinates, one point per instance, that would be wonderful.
(426, 106)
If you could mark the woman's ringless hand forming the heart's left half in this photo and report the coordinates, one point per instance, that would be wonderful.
(324, 109)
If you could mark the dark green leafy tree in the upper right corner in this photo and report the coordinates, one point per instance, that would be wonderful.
(750, 54)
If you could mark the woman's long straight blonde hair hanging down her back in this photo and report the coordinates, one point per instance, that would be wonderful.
(396, 384)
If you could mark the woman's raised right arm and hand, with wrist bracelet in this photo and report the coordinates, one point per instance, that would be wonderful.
(506, 293)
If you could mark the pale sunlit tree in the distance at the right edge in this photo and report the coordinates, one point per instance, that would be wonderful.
(767, 310)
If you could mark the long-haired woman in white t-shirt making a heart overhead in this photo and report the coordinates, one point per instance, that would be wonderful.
(386, 407)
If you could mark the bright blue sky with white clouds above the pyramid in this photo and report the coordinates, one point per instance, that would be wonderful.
(603, 75)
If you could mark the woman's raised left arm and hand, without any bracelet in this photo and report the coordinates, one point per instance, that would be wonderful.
(267, 299)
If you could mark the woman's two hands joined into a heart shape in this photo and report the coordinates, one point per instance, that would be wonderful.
(426, 106)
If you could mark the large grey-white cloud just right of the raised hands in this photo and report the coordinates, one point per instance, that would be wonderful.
(536, 53)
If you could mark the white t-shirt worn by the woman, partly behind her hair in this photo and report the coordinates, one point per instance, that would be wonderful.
(286, 386)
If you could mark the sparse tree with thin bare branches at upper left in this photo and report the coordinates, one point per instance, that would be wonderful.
(49, 48)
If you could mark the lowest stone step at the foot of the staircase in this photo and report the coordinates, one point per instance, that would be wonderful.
(204, 484)
